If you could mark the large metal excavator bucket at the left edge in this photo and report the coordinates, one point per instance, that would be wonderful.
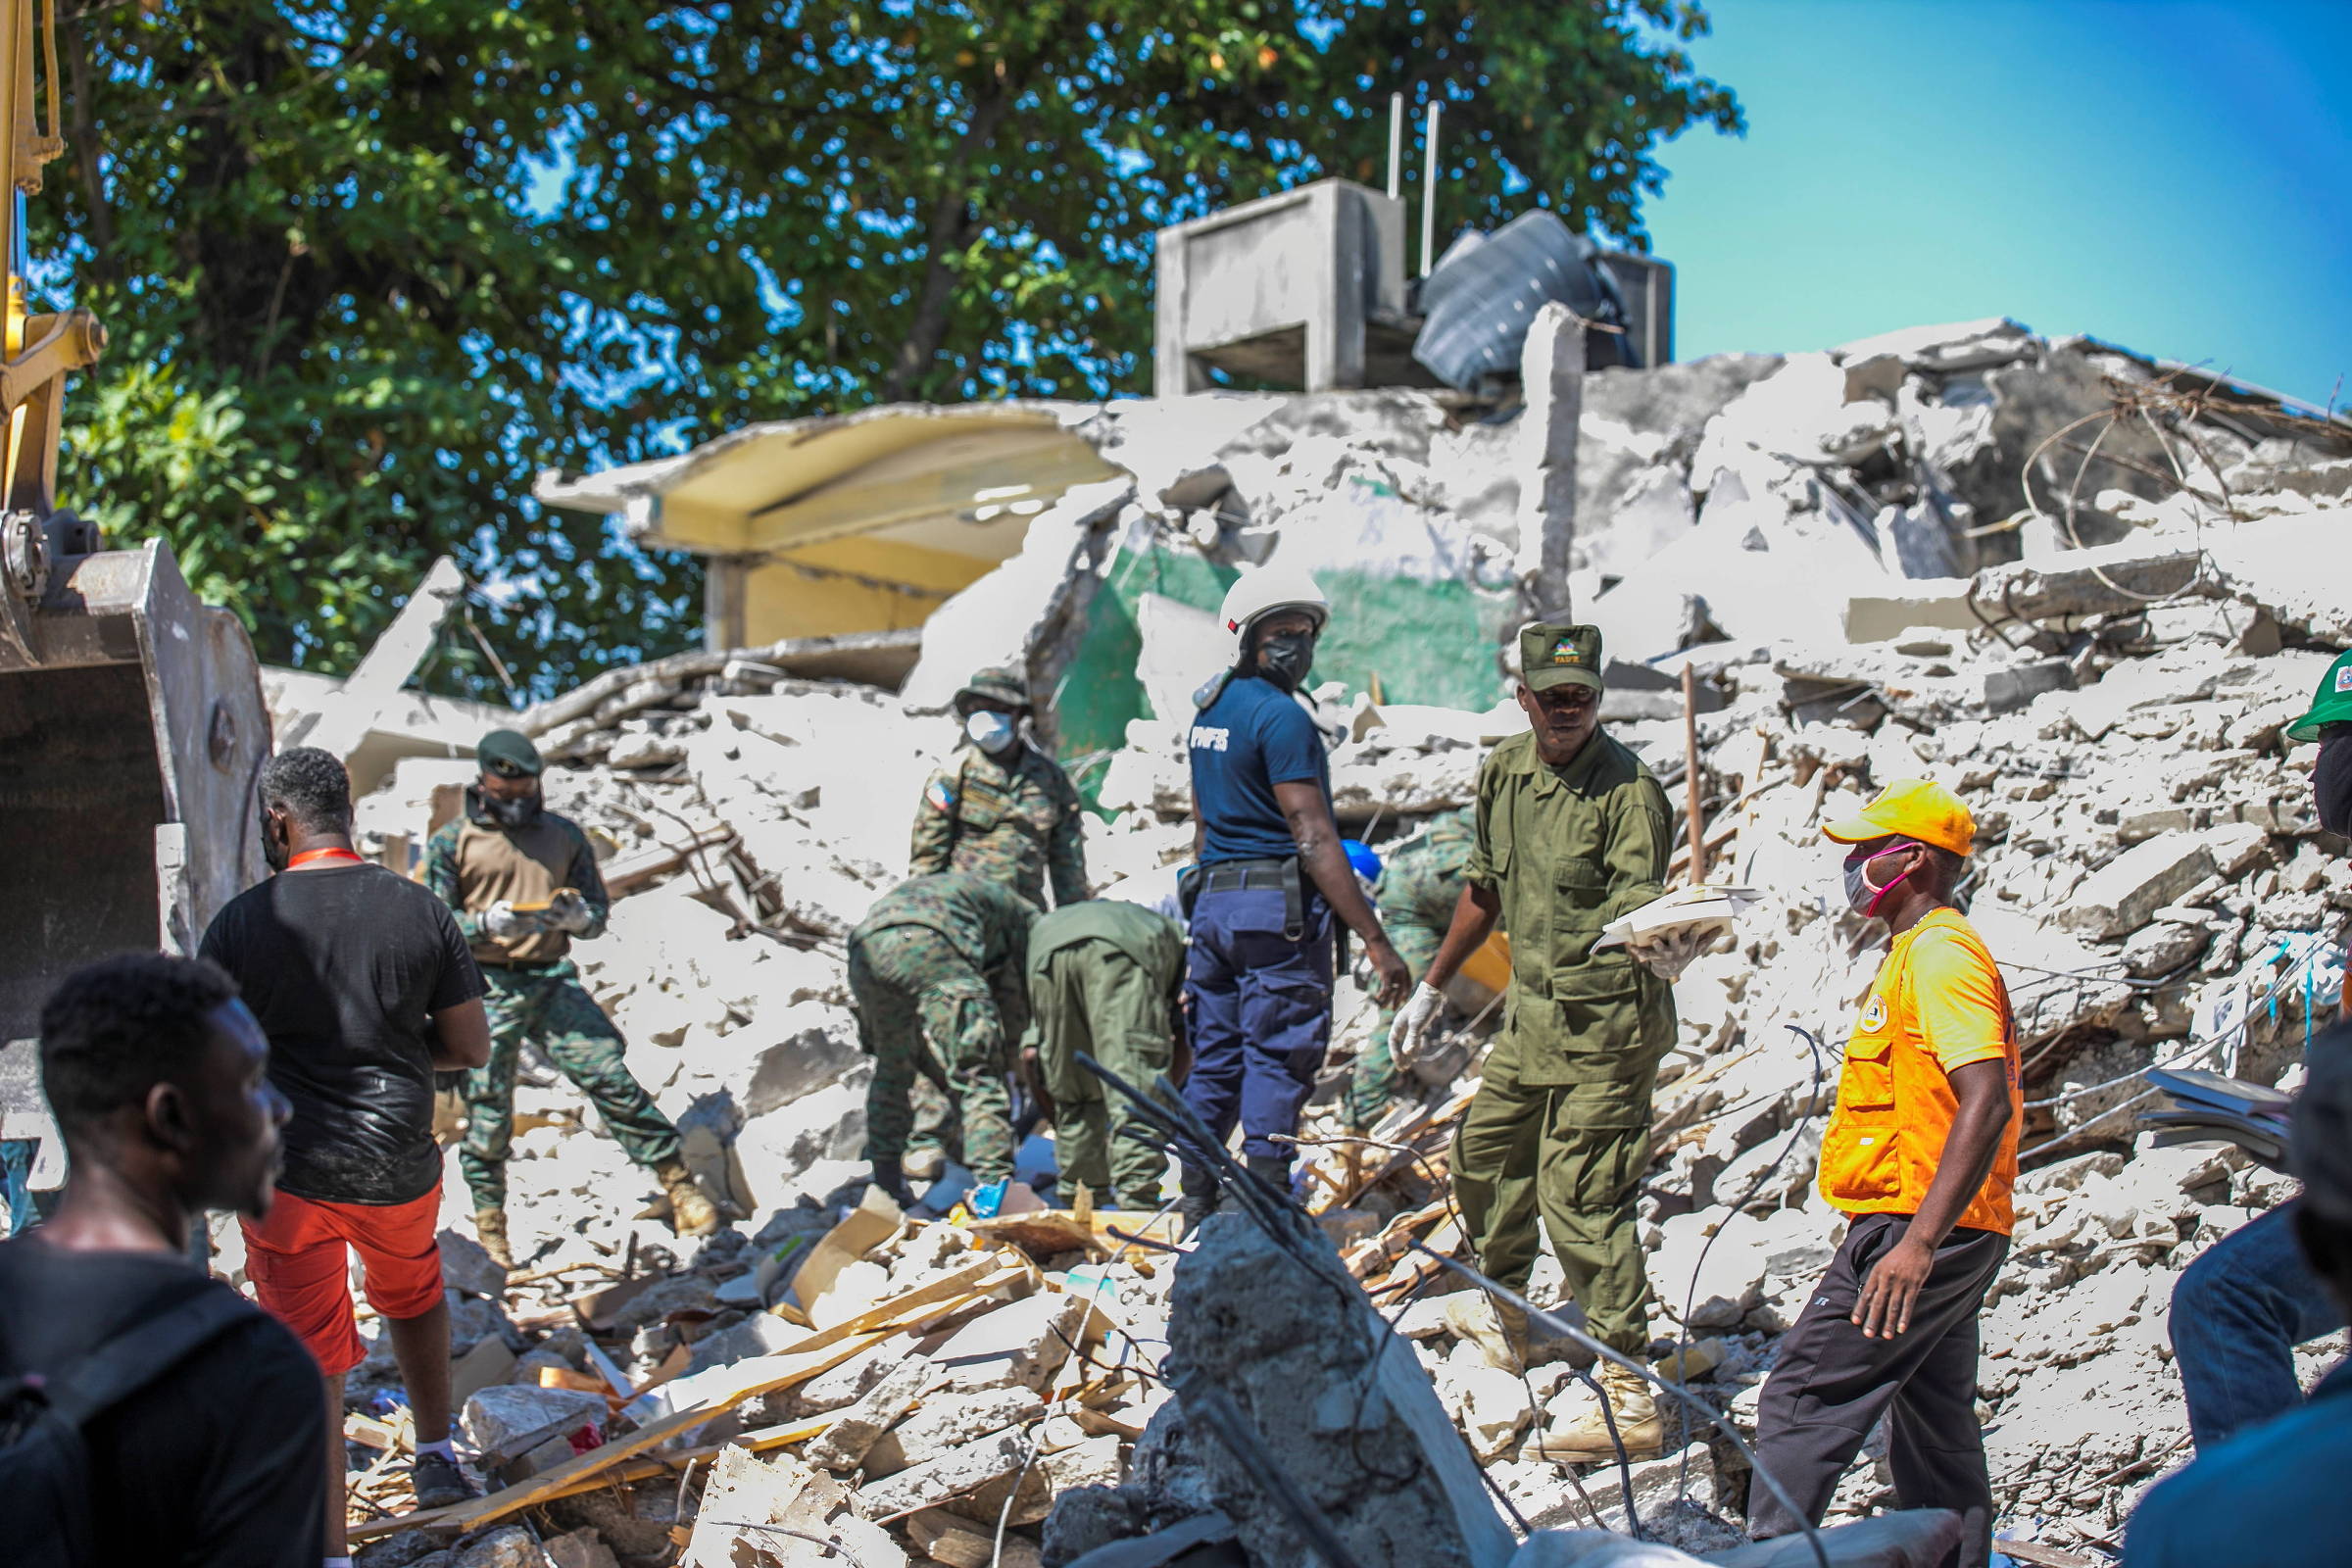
(133, 735)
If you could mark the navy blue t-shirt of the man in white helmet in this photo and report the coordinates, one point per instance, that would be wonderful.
(1248, 742)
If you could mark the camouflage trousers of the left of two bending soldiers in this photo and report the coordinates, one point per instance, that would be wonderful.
(911, 984)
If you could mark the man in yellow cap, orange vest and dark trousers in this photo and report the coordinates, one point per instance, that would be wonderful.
(1920, 1153)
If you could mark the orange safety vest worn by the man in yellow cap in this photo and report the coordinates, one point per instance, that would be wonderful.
(1895, 1099)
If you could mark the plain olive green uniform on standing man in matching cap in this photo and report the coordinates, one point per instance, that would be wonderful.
(1561, 1123)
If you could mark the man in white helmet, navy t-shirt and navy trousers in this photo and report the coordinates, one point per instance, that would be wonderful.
(1271, 883)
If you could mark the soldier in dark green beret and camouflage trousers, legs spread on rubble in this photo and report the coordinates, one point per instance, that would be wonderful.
(502, 852)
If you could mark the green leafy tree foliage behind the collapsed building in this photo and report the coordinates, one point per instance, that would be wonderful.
(370, 267)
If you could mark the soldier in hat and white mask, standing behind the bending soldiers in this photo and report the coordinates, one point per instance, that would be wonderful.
(1001, 808)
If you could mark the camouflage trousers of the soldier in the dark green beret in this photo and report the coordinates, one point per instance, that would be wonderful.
(552, 1007)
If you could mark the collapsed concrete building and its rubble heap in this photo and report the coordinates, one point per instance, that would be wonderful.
(2080, 587)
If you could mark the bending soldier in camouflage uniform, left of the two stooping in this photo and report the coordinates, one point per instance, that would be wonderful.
(940, 958)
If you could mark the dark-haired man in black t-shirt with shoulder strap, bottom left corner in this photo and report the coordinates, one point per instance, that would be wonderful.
(156, 1076)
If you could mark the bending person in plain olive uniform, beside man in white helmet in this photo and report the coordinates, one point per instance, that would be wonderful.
(1107, 979)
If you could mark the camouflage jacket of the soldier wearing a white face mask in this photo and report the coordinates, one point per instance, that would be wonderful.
(1013, 822)
